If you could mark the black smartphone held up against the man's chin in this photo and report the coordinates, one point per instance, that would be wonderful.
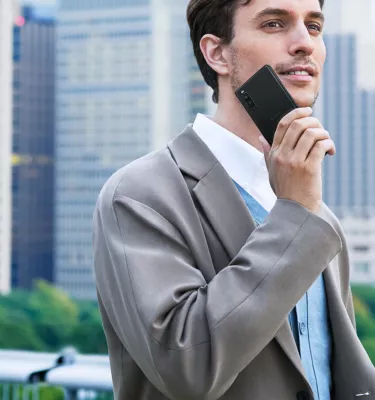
(266, 100)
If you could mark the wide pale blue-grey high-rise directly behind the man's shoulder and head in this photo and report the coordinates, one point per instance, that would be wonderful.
(123, 89)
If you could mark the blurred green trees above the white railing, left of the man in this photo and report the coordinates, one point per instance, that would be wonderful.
(46, 319)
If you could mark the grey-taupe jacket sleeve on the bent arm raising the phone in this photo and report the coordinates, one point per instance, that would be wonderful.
(192, 338)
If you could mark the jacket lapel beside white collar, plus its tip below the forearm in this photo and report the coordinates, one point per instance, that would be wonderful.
(225, 209)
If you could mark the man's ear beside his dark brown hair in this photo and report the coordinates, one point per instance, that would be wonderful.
(215, 54)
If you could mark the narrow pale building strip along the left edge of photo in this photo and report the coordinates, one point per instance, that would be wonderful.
(8, 9)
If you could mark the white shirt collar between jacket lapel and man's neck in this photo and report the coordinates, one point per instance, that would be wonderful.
(243, 162)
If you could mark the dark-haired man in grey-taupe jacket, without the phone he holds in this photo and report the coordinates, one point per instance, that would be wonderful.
(219, 276)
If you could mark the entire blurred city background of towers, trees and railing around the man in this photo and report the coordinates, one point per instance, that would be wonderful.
(86, 86)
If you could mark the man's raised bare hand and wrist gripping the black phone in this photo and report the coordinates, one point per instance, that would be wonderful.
(295, 159)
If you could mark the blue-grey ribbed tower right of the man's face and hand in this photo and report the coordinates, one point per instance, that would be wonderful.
(348, 114)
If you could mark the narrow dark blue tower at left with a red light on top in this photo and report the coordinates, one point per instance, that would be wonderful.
(33, 147)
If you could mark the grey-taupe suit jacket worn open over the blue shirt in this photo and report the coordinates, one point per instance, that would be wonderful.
(194, 298)
